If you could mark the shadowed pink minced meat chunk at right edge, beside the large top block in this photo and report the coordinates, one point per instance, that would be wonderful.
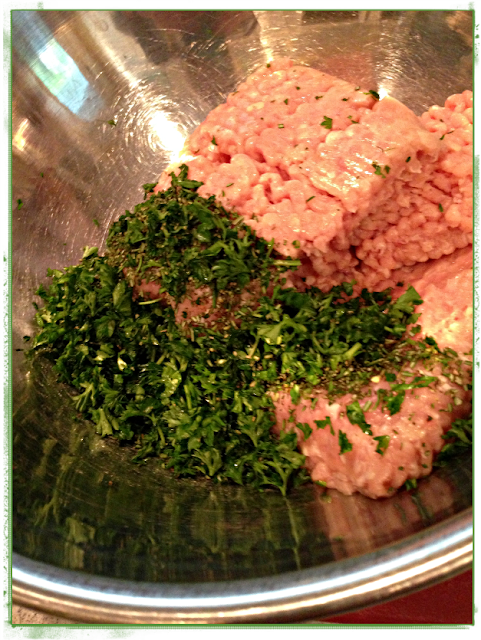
(430, 219)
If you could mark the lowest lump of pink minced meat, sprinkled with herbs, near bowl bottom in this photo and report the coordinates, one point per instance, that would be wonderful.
(415, 436)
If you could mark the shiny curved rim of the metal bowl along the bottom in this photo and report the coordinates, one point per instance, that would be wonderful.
(433, 555)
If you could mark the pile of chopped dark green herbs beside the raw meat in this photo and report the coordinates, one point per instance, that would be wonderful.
(197, 393)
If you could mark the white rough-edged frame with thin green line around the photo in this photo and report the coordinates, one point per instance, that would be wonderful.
(119, 631)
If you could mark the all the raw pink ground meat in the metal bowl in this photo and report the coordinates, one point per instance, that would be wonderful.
(357, 189)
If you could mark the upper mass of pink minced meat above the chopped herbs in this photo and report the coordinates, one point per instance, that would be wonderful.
(351, 185)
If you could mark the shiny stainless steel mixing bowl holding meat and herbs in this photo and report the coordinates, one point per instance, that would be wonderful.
(101, 102)
